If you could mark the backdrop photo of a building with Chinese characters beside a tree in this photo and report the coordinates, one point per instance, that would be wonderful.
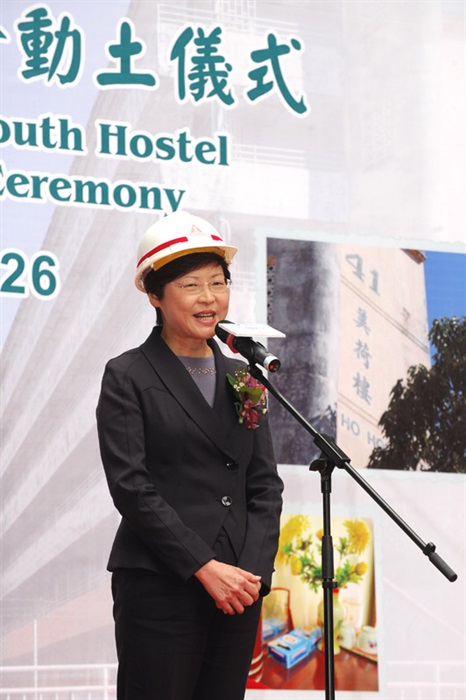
(376, 336)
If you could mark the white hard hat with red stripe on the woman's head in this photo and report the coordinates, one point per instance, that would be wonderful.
(176, 235)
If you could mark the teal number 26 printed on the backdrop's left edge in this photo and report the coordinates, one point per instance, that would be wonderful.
(21, 275)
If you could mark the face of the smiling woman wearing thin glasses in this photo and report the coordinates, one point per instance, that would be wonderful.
(190, 319)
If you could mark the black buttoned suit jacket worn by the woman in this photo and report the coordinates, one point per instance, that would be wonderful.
(179, 470)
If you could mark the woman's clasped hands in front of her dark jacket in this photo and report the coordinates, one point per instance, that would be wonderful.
(232, 588)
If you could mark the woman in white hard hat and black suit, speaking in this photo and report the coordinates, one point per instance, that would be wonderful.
(198, 491)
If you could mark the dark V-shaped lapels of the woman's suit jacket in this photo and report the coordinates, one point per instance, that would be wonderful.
(216, 423)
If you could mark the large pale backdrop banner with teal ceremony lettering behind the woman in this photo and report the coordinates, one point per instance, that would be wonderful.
(326, 141)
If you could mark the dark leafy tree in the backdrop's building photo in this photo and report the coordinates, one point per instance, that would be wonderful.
(425, 423)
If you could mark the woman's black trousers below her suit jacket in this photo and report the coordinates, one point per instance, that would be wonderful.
(174, 644)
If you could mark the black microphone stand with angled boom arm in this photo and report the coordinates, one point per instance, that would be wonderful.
(332, 456)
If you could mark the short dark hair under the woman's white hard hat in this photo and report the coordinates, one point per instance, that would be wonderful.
(156, 280)
